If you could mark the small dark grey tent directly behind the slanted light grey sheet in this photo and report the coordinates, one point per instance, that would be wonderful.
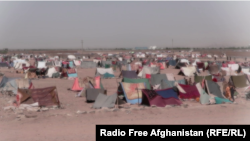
(91, 94)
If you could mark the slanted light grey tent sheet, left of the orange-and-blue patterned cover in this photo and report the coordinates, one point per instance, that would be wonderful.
(103, 100)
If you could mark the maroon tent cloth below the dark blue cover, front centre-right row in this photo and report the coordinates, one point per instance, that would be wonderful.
(150, 97)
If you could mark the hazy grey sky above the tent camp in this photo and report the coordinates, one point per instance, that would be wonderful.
(123, 23)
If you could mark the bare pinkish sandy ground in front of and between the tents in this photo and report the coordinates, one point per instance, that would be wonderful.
(66, 124)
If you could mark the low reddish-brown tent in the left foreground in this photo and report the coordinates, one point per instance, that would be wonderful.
(36, 98)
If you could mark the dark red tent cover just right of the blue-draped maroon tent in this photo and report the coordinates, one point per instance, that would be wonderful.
(191, 92)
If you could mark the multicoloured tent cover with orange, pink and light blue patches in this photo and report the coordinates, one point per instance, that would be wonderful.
(131, 93)
